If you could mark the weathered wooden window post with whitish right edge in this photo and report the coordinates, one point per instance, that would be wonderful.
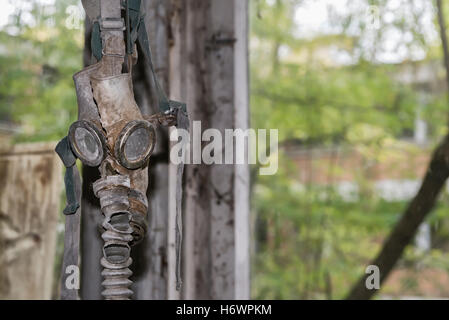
(210, 72)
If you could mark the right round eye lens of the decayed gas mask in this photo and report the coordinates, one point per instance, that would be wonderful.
(135, 144)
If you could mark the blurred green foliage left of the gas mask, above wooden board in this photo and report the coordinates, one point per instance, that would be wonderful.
(39, 54)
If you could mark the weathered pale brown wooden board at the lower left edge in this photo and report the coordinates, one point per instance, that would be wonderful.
(30, 192)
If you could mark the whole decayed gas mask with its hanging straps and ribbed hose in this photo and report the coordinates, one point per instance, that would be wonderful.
(112, 134)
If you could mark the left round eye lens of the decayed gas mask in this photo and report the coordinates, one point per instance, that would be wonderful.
(87, 143)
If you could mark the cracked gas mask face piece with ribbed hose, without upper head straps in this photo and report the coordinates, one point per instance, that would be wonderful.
(112, 135)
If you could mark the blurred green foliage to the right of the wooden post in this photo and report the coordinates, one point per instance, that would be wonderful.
(311, 243)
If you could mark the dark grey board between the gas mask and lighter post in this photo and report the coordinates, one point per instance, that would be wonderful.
(150, 257)
